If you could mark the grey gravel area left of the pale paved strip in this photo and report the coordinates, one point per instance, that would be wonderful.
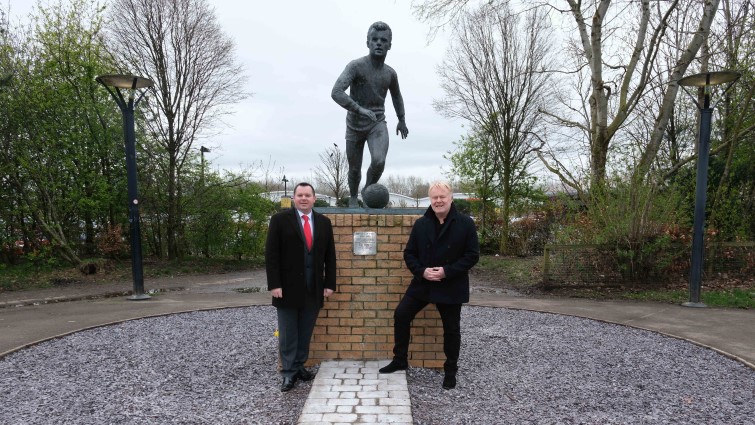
(210, 367)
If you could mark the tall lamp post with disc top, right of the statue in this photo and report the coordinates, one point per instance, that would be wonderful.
(703, 81)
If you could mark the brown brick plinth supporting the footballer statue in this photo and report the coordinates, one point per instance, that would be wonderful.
(357, 321)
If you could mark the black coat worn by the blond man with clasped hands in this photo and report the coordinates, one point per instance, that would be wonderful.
(456, 248)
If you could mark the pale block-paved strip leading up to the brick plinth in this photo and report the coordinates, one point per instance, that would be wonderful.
(353, 392)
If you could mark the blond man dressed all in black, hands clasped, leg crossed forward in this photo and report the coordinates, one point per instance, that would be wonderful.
(441, 250)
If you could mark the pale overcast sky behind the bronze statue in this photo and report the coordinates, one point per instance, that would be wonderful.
(293, 51)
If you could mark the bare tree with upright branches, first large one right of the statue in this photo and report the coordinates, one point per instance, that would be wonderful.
(492, 77)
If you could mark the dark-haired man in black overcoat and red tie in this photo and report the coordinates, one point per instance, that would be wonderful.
(300, 260)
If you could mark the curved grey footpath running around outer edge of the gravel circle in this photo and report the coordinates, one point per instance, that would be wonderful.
(29, 317)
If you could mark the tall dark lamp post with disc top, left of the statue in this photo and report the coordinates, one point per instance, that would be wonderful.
(114, 83)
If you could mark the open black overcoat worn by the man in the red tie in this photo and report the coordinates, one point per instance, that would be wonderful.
(285, 253)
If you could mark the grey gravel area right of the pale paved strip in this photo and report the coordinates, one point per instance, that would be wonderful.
(522, 367)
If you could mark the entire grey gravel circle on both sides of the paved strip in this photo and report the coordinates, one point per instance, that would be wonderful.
(219, 367)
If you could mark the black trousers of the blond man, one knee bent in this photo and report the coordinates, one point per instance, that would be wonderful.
(450, 314)
